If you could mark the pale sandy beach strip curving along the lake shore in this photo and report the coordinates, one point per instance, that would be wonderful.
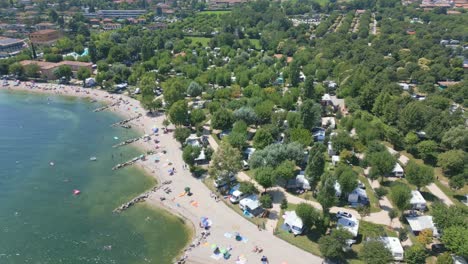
(171, 195)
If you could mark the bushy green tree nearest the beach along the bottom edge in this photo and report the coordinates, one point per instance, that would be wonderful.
(331, 246)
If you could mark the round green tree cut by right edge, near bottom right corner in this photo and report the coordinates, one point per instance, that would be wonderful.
(455, 238)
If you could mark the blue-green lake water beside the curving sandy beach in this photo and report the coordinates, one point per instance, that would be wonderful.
(41, 221)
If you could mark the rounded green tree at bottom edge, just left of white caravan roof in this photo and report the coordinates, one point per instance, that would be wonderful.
(375, 252)
